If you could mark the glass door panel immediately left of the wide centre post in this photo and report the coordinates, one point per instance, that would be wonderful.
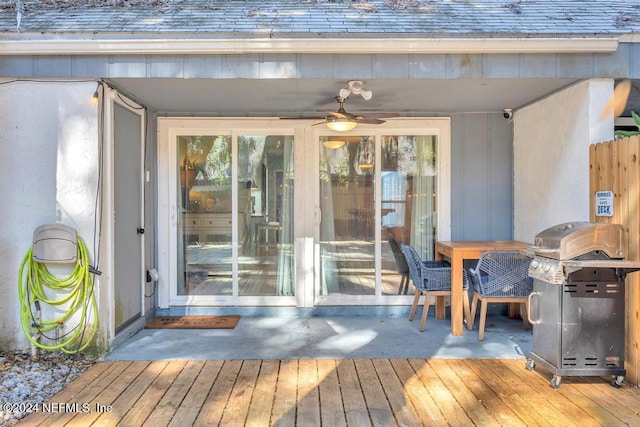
(265, 204)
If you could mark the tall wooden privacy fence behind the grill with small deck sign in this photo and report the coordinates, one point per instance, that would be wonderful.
(614, 166)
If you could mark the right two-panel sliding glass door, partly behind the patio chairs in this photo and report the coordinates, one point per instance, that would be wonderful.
(373, 188)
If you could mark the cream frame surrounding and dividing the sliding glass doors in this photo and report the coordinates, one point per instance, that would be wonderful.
(306, 228)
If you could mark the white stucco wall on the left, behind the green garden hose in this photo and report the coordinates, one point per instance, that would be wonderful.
(49, 174)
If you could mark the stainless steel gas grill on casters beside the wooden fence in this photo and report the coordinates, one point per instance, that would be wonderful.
(577, 307)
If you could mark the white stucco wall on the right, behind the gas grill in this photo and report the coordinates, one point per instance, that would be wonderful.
(551, 156)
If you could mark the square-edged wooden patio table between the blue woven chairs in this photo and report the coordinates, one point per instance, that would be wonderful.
(457, 252)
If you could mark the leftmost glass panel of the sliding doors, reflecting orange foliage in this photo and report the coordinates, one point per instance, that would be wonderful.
(205, 258)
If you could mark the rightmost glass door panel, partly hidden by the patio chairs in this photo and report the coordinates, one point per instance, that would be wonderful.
(408, 201)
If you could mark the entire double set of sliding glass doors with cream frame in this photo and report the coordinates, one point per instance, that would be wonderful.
(254, 214)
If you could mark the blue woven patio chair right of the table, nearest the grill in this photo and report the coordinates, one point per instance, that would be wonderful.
(500, 277)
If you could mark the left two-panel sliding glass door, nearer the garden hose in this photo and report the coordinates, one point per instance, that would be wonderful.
(235, 193)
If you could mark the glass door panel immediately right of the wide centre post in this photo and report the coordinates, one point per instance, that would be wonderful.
(347, 228)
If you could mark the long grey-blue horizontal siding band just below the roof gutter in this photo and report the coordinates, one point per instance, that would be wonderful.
(622, 63)
